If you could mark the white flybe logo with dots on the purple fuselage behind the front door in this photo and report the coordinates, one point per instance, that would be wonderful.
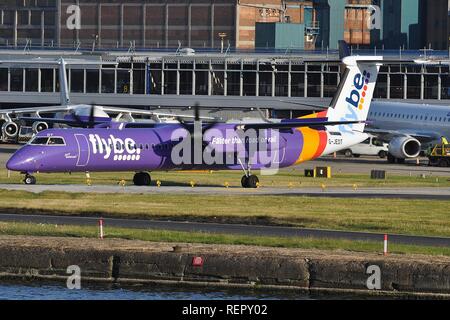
(120, 150)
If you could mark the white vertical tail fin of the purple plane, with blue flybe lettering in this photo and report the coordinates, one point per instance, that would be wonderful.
(355, 93)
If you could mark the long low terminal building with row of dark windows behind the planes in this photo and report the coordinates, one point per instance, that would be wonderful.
(176, 79)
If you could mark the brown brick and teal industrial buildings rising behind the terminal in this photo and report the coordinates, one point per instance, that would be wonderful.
(409, 24)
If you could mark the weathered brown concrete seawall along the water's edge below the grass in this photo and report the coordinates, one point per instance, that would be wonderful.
(137, 261)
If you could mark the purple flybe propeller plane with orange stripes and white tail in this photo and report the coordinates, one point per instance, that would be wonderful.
(143, 148)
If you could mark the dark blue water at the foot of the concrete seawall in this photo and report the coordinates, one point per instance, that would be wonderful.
(58, 291)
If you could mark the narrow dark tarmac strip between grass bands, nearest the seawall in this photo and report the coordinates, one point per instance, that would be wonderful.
(216, 228)
